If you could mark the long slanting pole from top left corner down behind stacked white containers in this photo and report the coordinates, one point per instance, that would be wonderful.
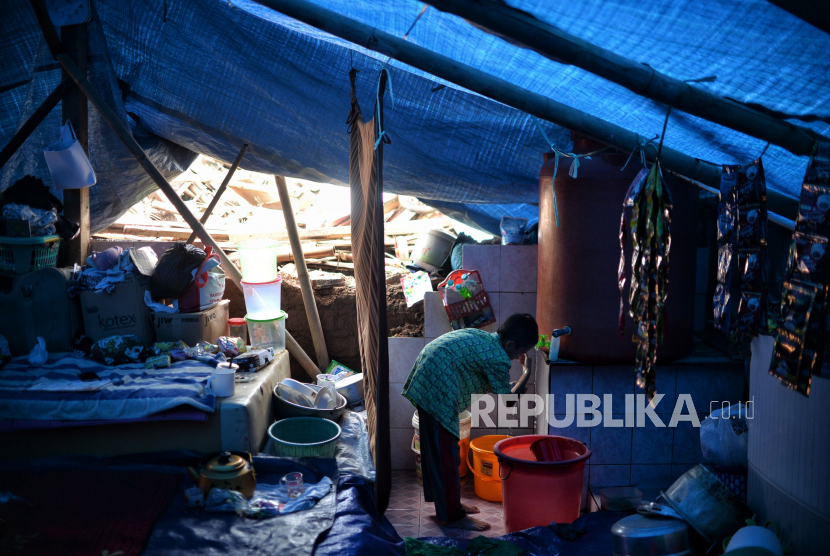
(132, 145)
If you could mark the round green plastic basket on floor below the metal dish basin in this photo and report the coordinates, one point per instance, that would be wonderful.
(310, 437)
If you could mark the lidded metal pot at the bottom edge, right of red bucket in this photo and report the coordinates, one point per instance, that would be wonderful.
(638, 535)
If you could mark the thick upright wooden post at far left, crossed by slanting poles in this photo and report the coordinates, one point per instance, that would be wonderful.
(75, 109)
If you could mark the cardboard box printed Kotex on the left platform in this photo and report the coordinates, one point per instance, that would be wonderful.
(119, 313)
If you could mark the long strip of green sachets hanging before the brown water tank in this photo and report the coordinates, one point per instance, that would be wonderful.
(650, 229)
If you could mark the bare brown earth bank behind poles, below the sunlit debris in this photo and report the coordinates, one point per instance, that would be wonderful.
(338, 317)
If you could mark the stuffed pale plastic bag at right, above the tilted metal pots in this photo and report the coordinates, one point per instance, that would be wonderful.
(723, 436)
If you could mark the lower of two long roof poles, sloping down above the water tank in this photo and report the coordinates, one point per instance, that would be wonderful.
(505, 92)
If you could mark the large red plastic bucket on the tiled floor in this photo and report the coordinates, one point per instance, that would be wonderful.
(539, 492)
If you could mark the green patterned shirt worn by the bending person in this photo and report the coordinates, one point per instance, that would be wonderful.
(452, 368)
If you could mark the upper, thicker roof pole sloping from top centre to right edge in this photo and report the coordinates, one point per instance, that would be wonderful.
(525, 30)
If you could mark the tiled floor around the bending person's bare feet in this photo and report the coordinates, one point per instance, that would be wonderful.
(411, 515)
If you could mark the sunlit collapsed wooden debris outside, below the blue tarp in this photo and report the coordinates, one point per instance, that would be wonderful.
(250, 209)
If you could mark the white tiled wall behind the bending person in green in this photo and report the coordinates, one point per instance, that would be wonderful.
(508, 274)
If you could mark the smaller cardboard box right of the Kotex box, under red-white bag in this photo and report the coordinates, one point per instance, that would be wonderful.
(193, 327)
